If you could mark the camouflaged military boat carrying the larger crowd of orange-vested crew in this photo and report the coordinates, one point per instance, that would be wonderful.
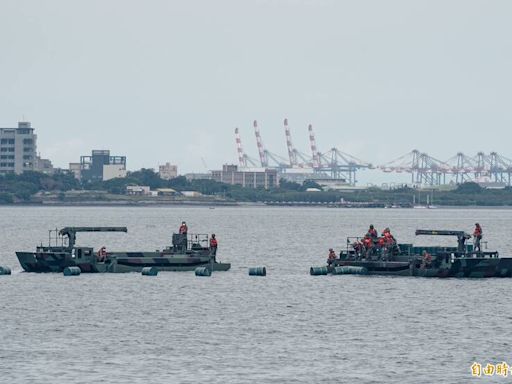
(427, 261)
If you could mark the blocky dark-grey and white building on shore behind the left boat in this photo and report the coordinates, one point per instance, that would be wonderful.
(99, 166)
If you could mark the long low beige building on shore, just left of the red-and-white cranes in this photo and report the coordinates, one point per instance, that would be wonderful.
(247, 177)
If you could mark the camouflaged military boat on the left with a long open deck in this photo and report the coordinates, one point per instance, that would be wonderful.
(186, 253)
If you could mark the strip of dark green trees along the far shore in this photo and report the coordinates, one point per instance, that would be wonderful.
(29, 186)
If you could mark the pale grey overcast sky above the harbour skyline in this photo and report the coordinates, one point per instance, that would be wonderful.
(162, 80)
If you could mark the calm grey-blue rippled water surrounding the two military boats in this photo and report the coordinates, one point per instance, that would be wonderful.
(288, 327)
